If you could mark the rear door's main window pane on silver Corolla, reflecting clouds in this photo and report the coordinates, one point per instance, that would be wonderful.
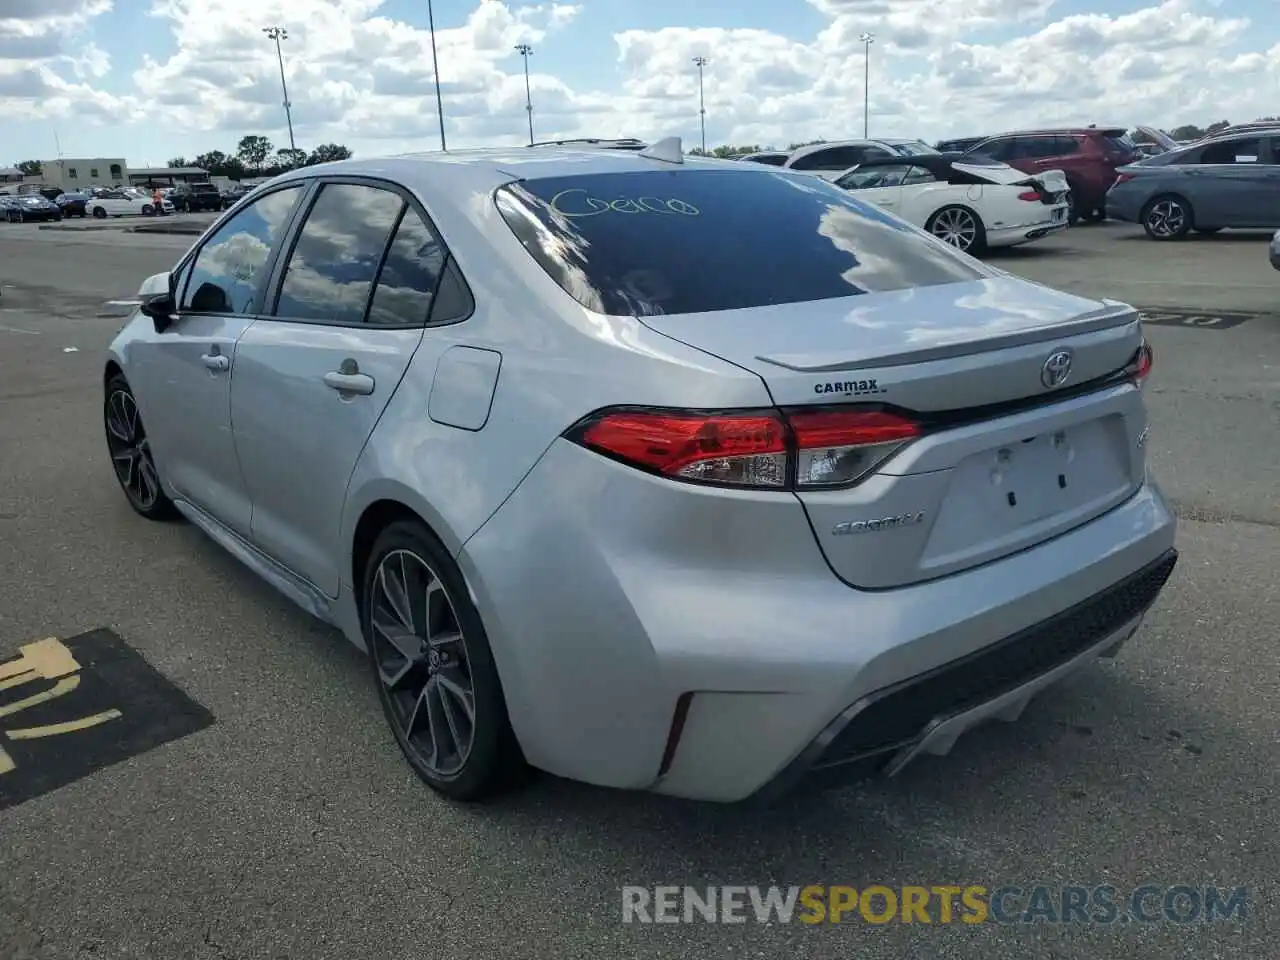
(336, 259)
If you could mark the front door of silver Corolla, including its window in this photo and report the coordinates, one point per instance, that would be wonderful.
(186, 371)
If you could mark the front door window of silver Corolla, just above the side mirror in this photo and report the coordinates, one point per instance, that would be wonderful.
(227, 272)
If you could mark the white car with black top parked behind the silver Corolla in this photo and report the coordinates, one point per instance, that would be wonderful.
(971, 205)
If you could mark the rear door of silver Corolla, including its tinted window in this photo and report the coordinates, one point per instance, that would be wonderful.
(316, 376)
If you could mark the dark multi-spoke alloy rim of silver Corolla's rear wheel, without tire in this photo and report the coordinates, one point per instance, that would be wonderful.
(422, 657)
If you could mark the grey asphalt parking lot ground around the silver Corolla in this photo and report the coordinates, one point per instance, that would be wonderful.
(280, 821)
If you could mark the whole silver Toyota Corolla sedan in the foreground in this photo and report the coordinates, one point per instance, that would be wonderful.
(665, 474)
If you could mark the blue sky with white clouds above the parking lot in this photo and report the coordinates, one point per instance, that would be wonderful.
(149, 80)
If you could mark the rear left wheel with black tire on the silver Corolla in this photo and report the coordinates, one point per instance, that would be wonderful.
(435, 670)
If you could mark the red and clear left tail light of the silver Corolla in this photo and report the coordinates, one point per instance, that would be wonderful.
(798, 450)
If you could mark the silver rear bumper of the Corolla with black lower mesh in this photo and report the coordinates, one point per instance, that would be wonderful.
(611, 598)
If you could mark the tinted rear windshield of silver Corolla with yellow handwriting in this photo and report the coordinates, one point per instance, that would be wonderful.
(642, 244)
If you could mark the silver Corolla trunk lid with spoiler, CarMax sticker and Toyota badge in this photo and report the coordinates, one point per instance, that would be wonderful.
(1007, 459)
